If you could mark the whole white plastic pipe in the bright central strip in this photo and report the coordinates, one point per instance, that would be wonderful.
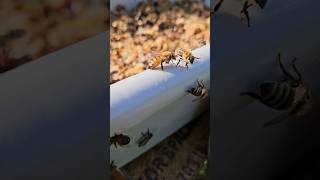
(156, 100)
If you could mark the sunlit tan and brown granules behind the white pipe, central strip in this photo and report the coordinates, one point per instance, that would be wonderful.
(154, 26)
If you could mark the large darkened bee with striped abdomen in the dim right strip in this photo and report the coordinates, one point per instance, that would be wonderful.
(290, 94)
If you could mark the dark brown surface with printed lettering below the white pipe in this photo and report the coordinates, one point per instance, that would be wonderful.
(180, 156)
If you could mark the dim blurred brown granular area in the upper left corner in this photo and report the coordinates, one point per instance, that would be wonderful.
(34, 28)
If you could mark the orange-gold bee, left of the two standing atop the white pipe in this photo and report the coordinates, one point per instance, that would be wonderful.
(159, 59)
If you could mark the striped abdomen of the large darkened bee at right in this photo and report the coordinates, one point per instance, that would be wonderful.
(279, 96)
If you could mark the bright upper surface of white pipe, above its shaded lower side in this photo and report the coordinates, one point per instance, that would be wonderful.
(138, 97)
